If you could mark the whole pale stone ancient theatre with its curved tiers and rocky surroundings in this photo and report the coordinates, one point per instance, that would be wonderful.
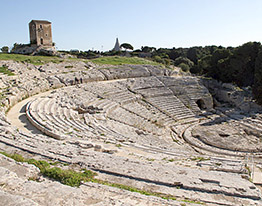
(145, 127)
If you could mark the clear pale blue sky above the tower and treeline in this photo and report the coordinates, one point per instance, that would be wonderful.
(94, 24)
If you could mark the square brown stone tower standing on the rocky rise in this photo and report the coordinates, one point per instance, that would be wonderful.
(40, 33)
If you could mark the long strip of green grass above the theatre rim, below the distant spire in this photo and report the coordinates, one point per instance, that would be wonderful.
(117, 60)
